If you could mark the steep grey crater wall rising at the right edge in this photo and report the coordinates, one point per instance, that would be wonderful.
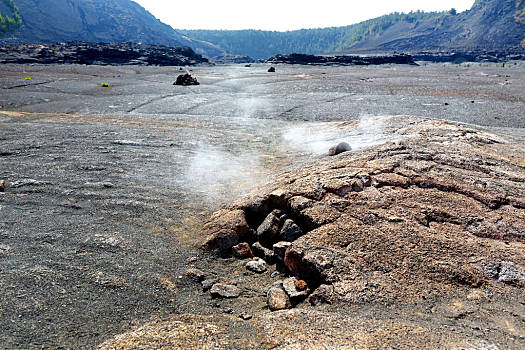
(489, 25)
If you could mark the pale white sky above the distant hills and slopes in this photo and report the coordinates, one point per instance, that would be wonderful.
(284, 14)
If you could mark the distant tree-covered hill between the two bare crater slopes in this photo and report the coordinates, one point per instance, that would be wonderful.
(263, 44)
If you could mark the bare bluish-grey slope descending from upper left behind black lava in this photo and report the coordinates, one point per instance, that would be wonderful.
(48, 21)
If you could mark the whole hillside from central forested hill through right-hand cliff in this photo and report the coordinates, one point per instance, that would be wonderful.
(489, 25)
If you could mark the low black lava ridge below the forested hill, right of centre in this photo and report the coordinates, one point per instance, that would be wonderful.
(297, 58)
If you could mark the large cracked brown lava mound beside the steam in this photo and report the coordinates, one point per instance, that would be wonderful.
(438, 213)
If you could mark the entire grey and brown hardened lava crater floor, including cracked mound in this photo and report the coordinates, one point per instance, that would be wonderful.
(414, 239)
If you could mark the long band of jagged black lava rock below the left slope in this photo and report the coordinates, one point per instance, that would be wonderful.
(100, 53)
